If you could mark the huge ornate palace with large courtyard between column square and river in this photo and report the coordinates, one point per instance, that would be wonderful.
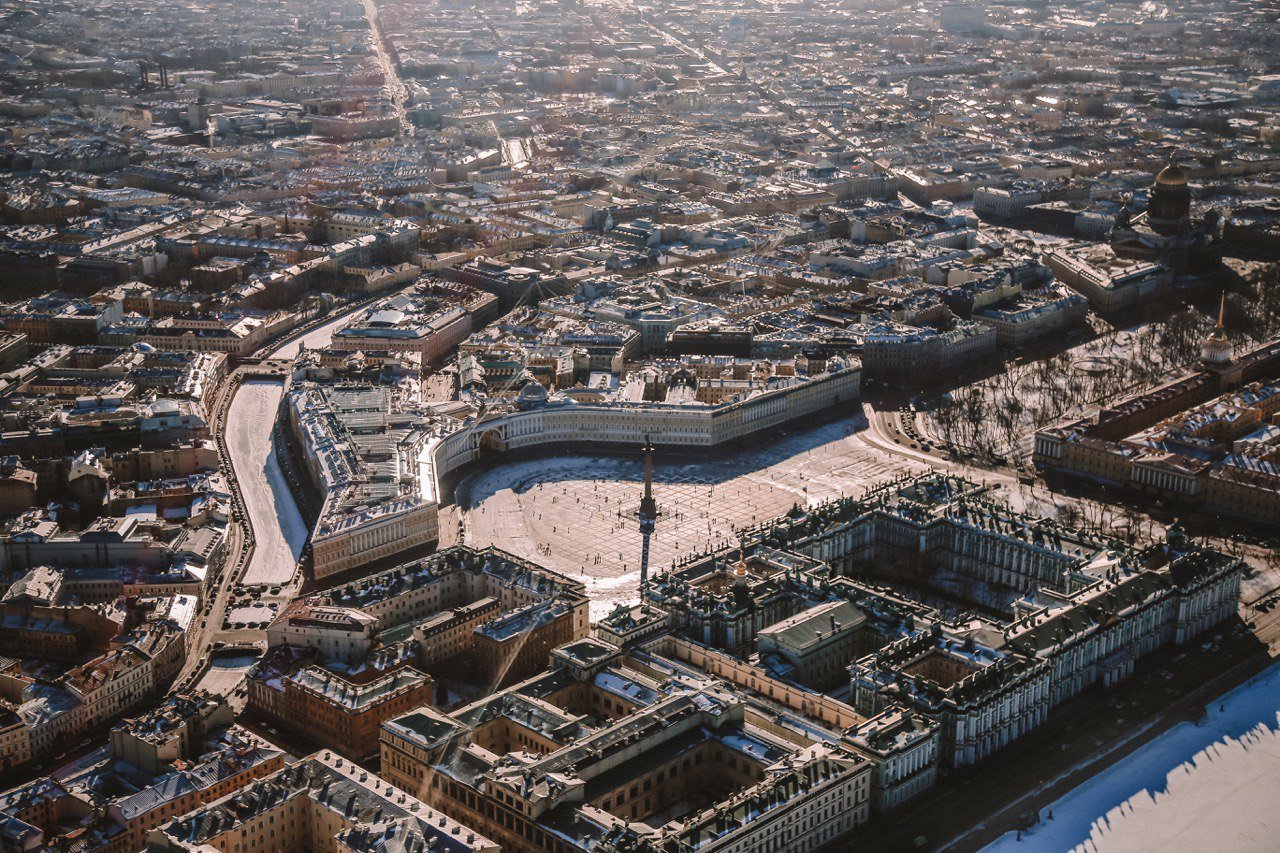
(1073, 601)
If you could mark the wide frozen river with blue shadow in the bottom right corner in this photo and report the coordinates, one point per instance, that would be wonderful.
(1210, 787)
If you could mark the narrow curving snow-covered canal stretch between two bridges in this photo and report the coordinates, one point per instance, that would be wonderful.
(280, 532)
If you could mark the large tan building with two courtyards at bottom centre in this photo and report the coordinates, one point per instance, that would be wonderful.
(629, 754)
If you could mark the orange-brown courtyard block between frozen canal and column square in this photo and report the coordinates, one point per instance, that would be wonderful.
(346, 660)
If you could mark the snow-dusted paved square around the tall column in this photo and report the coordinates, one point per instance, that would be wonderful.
(577, 514)
